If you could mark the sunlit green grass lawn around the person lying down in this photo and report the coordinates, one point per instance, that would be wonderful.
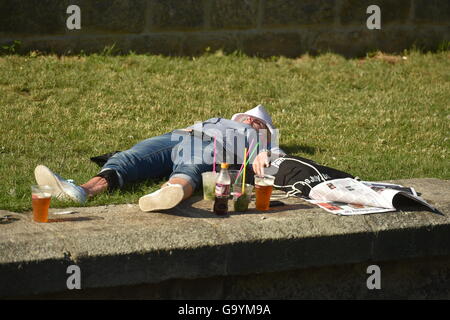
(383, 117)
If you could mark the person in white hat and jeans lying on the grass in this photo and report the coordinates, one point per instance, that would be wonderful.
(173, 155)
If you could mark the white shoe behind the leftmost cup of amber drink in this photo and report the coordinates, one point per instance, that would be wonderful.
(62, 189)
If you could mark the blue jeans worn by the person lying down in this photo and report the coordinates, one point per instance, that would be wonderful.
(159, 157)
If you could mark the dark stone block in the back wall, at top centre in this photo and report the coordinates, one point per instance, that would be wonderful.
(233, 14)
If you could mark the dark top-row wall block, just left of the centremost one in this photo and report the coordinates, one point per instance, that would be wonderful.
(176, 14)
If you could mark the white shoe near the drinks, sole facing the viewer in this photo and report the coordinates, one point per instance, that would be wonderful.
(162, 199)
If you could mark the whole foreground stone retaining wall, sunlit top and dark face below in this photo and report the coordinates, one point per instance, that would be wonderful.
(294, 252)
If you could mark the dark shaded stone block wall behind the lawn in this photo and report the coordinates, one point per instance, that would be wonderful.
(255, 27)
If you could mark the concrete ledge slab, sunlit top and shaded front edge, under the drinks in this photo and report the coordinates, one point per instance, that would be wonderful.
(122, 246)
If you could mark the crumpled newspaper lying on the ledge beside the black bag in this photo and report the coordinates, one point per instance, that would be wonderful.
(352, 197)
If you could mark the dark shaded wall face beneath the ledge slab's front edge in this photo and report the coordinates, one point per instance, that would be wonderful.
(411, 279)
